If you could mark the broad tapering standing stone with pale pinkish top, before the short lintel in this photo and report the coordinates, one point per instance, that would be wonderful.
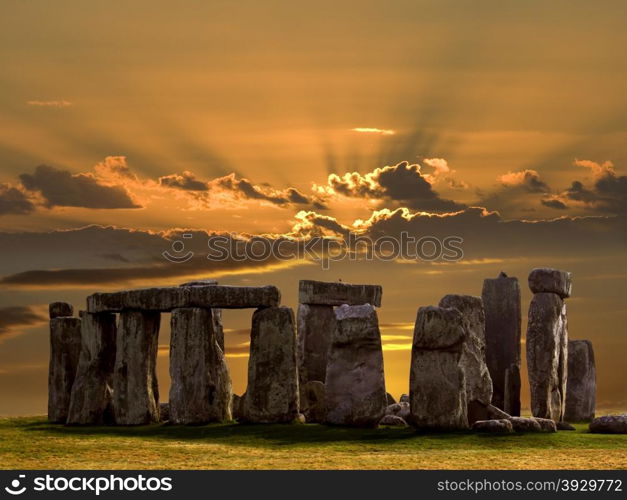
(355, 384)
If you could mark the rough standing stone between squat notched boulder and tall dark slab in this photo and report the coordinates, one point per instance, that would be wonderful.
(472, 361)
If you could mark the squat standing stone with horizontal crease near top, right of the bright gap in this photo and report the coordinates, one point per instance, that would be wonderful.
(437, 387)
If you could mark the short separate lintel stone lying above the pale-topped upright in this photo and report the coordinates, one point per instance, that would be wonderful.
(337, 294)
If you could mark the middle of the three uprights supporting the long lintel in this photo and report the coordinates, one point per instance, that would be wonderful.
(135, 388)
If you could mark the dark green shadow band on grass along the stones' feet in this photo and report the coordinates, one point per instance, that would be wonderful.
(273, 435)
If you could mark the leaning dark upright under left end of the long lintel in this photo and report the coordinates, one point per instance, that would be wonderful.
(91, 401)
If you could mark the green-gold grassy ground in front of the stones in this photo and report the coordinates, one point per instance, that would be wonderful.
(32, 443)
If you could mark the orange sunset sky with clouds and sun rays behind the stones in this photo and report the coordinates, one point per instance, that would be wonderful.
(124, 125)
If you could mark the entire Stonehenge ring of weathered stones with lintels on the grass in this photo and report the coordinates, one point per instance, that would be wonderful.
(327, 365)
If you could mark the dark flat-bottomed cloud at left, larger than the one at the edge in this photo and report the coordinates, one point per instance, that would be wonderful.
(62, 188)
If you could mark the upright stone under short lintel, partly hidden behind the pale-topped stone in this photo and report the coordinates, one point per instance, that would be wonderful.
(315, 329)
